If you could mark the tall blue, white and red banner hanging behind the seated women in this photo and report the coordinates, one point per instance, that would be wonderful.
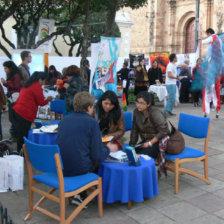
(105, 74)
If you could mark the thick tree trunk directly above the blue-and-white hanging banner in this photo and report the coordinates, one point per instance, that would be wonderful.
(110, 18)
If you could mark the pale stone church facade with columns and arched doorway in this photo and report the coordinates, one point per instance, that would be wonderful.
(169, 25)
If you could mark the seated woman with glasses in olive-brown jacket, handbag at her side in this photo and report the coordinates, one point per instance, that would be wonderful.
(149, 123)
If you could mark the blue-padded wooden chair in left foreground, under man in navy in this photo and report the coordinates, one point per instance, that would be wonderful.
(47, 159)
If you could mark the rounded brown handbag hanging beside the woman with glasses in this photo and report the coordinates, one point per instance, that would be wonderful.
(176, 143)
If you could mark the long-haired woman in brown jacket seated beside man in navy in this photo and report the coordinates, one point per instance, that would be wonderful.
(110, 117)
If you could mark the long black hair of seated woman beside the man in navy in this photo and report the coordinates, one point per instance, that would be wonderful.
(114, 114)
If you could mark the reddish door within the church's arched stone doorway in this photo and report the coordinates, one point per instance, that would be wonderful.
(189, 36)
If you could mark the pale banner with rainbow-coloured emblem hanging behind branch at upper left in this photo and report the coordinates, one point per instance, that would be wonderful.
(46, 27)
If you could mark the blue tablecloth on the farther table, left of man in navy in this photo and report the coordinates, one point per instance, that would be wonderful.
(42, 138)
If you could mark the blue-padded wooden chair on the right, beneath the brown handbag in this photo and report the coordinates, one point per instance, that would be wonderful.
(195, 127)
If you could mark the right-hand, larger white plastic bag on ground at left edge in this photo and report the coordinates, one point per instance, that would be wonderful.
(16, 172)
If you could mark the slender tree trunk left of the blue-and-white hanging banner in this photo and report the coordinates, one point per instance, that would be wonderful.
(85, 44)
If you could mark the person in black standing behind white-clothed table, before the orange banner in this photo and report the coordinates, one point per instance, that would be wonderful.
(155, 73)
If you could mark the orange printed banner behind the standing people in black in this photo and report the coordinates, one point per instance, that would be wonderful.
(162, 59)
